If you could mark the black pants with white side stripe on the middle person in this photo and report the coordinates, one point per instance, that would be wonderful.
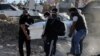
(47, 44)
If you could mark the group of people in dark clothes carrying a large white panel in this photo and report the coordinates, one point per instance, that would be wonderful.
(53, 28)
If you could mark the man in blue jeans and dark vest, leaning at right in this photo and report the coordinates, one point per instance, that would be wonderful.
(78, 32)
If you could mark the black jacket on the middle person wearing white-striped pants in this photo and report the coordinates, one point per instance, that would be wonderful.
(52, 29)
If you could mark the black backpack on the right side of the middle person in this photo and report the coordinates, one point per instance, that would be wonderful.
(59, 27)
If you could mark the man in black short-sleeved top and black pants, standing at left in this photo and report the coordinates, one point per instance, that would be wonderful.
(24, 22)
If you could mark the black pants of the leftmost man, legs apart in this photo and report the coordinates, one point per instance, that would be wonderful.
(21, 41)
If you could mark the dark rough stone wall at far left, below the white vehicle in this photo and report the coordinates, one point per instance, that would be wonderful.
(8, 32)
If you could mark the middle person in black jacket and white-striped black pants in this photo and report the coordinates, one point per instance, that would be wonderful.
(51, 33)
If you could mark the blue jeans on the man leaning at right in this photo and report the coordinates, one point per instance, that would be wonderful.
(77, 42)
